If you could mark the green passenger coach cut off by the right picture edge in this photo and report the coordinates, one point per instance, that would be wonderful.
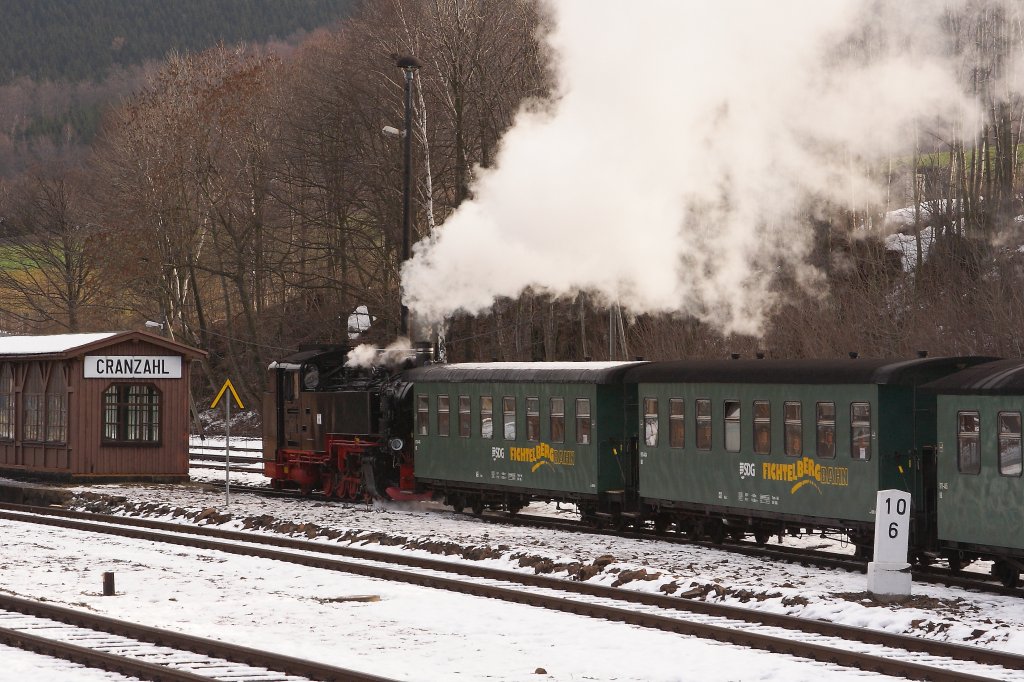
(980, 487)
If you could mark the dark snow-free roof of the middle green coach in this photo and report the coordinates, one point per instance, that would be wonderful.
(861, 371)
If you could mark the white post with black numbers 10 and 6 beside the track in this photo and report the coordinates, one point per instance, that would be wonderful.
(889, 574)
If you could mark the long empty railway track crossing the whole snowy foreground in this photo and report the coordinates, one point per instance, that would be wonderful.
(843, 646)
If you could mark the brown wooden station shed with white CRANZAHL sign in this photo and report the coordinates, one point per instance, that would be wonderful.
(96, 407)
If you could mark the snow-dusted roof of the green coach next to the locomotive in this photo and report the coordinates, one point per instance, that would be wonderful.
(586, 373)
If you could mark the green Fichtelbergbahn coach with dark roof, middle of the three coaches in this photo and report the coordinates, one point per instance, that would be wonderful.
(775, 447)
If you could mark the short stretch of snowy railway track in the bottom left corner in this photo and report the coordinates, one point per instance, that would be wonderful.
(150, 654)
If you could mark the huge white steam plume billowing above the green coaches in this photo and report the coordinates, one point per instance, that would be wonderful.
(685, 146)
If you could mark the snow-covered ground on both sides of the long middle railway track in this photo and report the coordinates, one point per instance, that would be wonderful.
(418, 634)
